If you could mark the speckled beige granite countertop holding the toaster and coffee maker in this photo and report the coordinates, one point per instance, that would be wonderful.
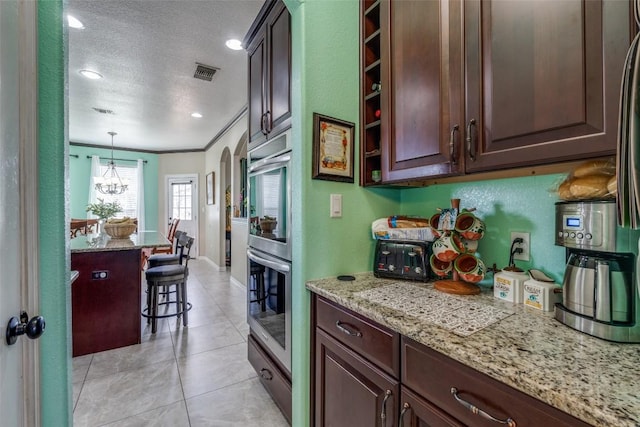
(592, 379)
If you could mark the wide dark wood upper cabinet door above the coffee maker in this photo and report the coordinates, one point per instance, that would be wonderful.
(543, 80)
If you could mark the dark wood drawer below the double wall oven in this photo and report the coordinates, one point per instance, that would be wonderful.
(278, 386)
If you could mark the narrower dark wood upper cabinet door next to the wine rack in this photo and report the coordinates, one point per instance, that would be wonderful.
(421, 89)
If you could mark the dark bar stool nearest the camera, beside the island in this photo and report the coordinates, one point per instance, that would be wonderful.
(172, 279)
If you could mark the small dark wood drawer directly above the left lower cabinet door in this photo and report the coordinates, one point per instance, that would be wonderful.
(371, 340)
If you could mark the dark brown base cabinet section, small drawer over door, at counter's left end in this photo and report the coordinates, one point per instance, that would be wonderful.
(350, 389)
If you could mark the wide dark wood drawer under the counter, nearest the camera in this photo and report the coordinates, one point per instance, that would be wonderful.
(433, 375)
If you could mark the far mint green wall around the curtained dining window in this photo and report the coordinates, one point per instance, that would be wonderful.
(80, 171)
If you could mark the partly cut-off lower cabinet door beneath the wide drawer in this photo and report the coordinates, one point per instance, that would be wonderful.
(417, 412)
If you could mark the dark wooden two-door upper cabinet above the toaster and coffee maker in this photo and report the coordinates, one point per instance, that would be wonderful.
(486, 85)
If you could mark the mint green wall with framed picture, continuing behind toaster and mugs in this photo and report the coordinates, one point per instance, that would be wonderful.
(325, 57)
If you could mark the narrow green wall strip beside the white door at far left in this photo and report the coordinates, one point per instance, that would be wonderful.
(55, 343)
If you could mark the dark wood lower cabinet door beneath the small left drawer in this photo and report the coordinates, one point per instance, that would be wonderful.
(350, 391)
